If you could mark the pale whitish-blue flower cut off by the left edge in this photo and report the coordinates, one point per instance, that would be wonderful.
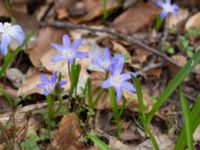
(7, 32)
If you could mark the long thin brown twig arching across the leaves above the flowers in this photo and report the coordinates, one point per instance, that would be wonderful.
(59, 24)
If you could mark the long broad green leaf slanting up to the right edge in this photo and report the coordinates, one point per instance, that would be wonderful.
(174, 83)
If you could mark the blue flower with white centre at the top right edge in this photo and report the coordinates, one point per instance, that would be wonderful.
(167, 8)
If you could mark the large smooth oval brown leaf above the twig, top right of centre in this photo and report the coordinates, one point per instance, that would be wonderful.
(136, 18)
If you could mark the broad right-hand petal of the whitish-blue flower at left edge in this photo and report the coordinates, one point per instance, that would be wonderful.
(17, 33)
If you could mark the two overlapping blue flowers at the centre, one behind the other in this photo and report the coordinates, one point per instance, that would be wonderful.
(115, 66)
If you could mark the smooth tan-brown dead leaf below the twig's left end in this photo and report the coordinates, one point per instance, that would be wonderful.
(45, 37)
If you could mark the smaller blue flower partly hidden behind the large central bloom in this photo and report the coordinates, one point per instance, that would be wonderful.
(103, 61)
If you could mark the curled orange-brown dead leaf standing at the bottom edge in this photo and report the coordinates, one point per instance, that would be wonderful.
(68, 135)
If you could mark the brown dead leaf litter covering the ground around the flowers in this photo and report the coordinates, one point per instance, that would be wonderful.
(135, 20)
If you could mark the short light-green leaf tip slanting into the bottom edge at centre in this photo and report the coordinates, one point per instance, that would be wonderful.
(98, 142)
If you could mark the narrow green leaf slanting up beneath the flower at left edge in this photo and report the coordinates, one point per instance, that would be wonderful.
(9, 58)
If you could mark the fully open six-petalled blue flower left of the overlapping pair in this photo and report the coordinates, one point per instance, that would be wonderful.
(67, 51)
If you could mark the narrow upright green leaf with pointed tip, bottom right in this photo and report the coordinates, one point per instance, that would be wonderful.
(187, 121)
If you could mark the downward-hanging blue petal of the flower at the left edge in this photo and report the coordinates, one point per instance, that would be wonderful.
(4, 43)
